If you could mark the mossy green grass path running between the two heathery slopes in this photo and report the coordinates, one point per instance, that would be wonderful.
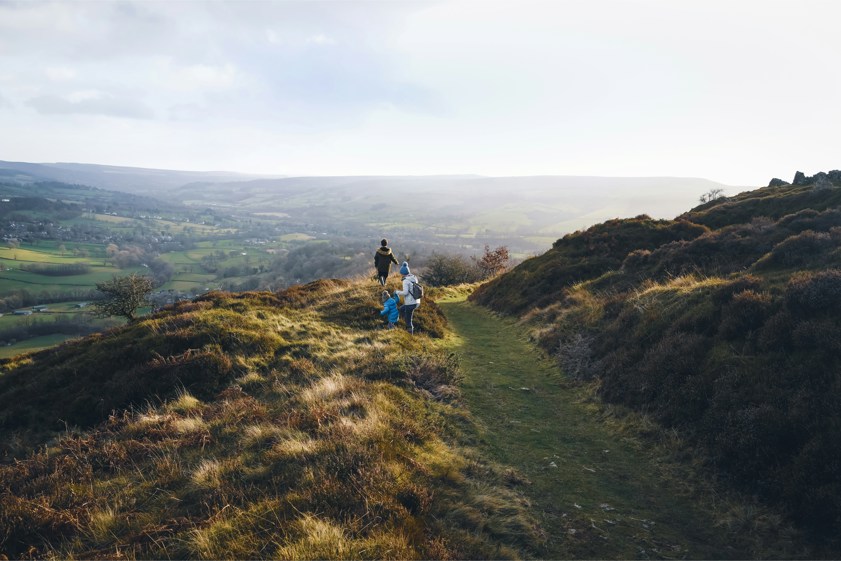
(597, 495)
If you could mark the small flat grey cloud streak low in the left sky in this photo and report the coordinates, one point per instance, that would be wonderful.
(91, 103)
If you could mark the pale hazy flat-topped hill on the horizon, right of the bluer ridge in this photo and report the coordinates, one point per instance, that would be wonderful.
(534, 205)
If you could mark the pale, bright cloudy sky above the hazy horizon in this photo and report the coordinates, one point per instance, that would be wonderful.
(733, 91)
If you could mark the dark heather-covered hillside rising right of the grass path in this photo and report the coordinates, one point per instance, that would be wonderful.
(729, 335)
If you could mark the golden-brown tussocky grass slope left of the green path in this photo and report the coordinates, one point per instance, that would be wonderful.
(251, 425)
